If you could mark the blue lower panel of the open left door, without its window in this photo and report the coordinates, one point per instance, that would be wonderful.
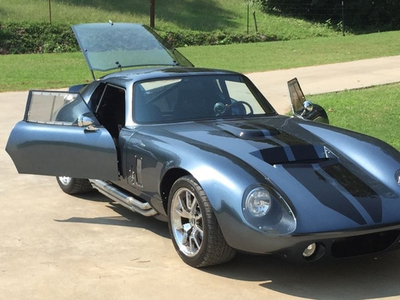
(62, 150)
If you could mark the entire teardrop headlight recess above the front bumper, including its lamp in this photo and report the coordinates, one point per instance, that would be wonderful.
(265, 209)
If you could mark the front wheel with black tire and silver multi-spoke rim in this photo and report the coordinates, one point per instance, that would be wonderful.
(194, 230)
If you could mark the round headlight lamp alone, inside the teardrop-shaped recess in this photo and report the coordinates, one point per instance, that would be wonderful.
(258, 202)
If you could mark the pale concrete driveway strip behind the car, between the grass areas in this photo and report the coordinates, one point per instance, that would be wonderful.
(327, 78)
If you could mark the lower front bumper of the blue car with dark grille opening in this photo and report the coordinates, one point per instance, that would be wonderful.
(336, 244)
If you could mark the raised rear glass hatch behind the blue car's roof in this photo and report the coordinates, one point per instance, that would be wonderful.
(109, 46)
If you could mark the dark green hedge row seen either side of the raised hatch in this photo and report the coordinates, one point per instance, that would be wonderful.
(16, 38)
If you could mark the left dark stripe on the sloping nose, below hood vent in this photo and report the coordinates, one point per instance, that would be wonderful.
(327, 194)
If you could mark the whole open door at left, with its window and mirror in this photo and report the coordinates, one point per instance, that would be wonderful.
(60, 136)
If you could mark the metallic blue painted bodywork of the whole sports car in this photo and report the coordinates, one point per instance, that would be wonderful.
(335, 183)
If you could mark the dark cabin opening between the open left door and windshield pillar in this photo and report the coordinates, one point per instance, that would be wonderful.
(110, 110)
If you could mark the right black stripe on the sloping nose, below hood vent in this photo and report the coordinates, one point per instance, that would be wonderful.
(366, 196)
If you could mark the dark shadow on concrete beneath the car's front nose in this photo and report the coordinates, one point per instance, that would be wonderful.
(355, 278)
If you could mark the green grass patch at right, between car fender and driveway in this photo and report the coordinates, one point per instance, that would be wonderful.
(373, 111)
